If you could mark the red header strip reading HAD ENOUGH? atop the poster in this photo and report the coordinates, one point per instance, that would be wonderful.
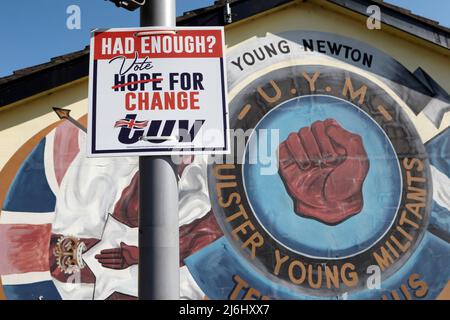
(158, 44)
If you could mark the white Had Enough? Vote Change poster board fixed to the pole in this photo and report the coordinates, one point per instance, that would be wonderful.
(157, 91)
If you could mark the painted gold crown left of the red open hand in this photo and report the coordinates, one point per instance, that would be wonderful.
(68, 252)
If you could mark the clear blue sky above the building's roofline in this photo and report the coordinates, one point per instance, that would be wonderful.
(35, 31)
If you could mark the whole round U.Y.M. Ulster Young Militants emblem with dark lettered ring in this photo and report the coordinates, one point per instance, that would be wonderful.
(352, 184)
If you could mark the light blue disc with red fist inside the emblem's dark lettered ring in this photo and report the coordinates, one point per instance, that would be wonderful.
(305, 198)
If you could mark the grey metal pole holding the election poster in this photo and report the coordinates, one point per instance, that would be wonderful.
(159, 277)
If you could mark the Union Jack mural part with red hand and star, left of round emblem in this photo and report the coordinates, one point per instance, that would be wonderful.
(70, 223)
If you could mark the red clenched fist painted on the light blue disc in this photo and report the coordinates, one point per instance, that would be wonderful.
(323, 168)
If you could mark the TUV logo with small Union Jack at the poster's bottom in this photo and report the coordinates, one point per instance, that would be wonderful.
(159, 131)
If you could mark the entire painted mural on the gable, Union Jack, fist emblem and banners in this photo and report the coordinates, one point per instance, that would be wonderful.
(355, 194)
